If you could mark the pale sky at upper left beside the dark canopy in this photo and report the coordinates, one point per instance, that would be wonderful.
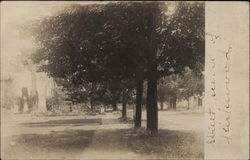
(13, 15)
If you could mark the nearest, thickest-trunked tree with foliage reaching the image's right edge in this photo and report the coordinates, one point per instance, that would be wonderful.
(174, 43)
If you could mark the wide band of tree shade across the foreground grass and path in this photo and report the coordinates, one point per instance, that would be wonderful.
(167, 144)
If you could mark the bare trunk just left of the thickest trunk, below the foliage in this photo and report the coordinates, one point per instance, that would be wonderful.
(138, 108)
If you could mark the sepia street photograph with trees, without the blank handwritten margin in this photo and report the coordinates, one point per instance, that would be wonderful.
(103, 80)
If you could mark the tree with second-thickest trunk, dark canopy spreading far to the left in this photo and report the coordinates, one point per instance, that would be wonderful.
(102, 51)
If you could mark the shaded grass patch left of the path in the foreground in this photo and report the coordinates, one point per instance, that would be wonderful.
(56, 144)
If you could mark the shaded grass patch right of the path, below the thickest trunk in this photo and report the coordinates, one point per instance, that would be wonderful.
(169, 144)
